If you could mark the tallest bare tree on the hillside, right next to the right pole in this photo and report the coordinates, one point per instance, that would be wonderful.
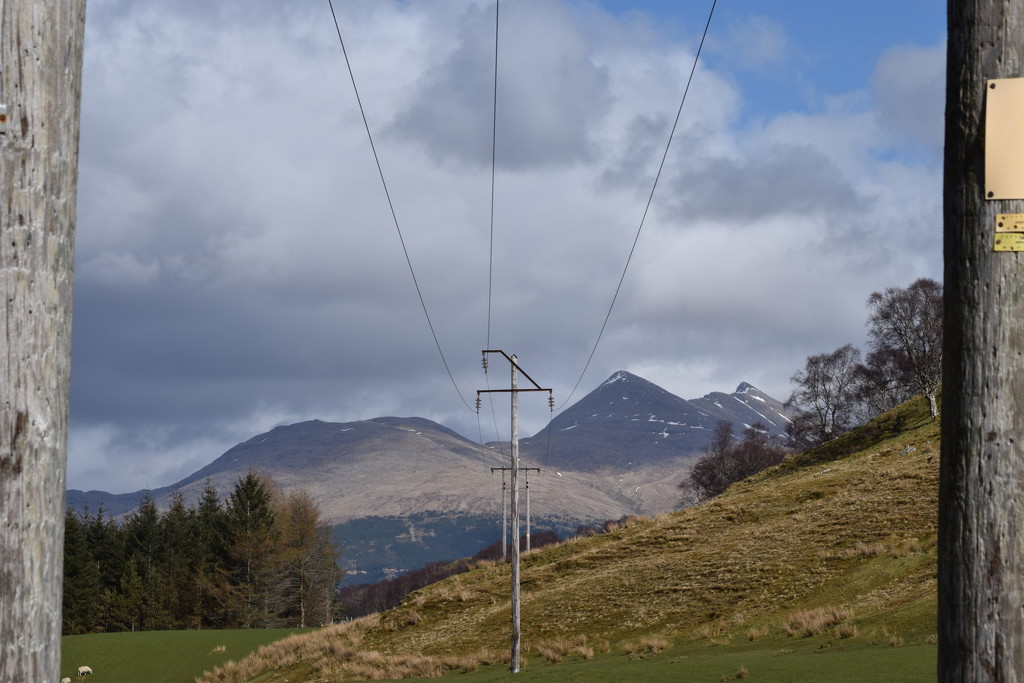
(909, 322)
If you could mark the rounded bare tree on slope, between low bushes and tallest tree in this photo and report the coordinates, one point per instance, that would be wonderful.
(826, 398)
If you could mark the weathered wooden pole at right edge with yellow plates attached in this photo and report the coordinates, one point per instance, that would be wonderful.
(982, 493)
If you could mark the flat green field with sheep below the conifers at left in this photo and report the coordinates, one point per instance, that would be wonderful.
(160, 657)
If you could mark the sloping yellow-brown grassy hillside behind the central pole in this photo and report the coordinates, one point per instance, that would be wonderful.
(832, 549)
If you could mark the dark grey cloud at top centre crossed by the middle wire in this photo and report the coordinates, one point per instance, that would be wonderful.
(550, 92)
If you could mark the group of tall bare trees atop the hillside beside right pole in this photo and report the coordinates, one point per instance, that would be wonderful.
(838, 392)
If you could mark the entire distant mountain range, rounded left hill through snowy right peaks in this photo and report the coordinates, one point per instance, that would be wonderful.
(404, 491)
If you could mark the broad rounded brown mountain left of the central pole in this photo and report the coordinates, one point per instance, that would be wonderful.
(380, 467)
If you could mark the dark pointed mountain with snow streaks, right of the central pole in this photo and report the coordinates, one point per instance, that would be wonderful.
(629, 422)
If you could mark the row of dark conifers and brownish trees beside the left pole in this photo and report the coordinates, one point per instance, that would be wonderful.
(260, 560)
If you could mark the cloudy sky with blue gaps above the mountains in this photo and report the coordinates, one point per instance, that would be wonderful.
(239, 268)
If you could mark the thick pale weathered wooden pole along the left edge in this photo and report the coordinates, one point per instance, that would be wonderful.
(40, 96)
